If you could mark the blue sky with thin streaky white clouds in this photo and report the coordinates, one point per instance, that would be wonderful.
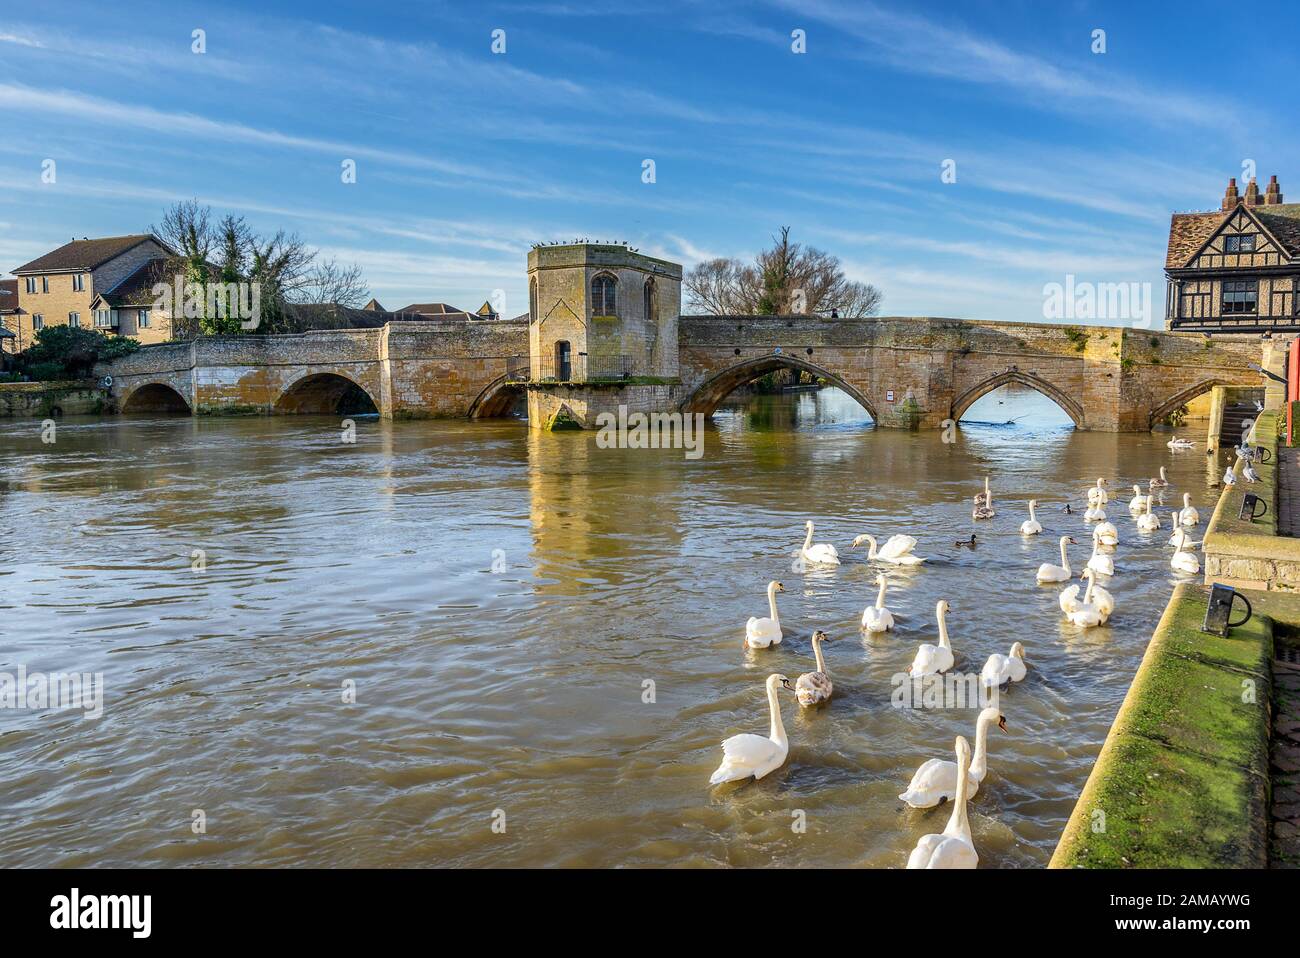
(1068, 162)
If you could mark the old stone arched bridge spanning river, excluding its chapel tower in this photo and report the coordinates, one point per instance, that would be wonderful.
(904, 371)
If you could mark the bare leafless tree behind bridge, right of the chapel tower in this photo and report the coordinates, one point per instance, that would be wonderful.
(785, 279)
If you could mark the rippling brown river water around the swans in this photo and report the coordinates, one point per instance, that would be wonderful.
(499, 599)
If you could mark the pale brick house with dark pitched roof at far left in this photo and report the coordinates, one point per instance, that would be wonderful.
(62, 288)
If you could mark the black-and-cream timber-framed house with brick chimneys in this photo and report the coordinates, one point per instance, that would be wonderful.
(1236, 270)
